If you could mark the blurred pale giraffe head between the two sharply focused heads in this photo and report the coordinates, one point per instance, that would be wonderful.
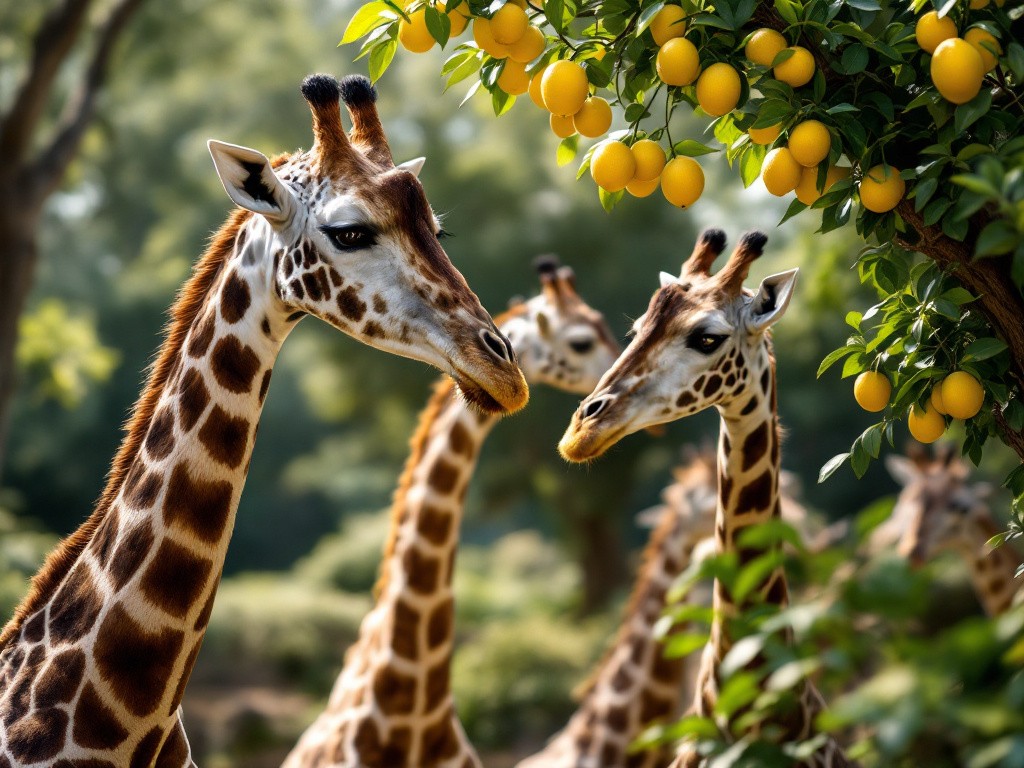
(559, 338)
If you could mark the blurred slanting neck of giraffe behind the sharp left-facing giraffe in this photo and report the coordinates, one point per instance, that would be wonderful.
(635, 686)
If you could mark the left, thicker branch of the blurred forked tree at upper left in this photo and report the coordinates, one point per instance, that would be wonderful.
(54, 40)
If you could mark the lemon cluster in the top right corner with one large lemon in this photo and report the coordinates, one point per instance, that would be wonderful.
(959, 65)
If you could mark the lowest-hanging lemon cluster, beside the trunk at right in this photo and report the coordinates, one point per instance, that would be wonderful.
(958, 396)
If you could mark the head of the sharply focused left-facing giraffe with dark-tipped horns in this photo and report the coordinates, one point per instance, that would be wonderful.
(704, 342)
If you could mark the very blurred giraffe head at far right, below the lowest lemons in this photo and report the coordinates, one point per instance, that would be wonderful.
(937, 510)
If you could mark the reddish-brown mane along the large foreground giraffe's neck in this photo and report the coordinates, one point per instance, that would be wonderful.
(190, 302)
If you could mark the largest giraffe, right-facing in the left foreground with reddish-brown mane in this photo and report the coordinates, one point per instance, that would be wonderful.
(95, 662)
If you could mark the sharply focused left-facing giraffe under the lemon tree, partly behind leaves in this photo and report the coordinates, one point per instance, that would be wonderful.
(704, 342)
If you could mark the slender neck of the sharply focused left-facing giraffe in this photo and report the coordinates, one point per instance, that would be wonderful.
(749, 471)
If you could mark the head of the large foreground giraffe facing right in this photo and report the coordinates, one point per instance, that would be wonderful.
(347, 236)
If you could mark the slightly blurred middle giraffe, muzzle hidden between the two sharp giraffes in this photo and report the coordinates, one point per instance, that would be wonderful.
(392, 705)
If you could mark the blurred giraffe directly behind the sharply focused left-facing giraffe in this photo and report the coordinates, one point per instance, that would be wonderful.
(635, 686)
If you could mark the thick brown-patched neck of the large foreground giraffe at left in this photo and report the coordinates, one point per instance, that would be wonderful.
(109, 649)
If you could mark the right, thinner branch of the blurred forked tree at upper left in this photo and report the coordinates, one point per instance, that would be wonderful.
(55, 159)
